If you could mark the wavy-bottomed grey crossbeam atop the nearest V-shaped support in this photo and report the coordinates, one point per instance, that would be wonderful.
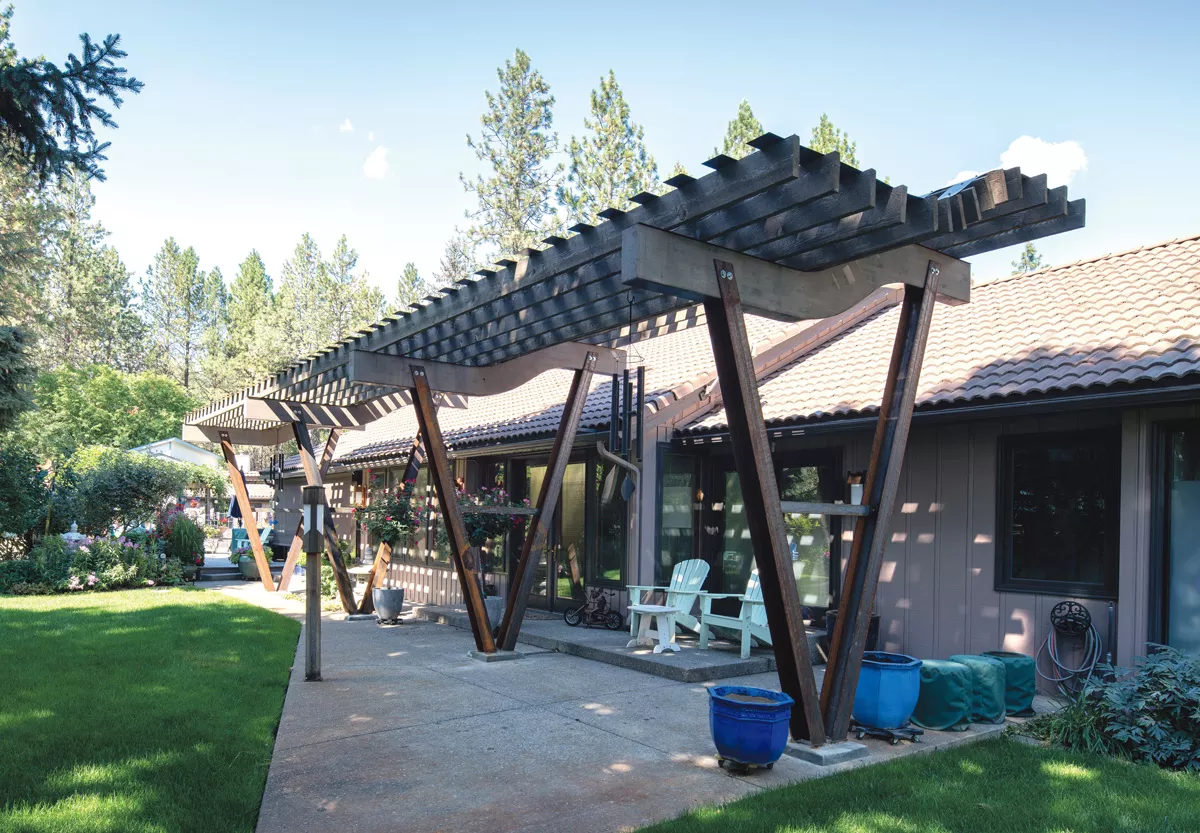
(671, 265)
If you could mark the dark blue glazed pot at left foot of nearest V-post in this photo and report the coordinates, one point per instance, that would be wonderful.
(749, 726)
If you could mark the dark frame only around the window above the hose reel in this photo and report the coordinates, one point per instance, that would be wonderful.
(1004, 584)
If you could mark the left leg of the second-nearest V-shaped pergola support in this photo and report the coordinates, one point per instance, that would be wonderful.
(442, 476)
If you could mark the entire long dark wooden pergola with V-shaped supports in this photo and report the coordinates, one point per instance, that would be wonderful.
(785, 232)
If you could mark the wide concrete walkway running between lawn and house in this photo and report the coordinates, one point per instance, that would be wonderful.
(407, 734)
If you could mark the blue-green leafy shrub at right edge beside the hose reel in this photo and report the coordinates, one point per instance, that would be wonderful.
(1147, 714)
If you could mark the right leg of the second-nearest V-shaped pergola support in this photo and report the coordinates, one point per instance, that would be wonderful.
(538, 534)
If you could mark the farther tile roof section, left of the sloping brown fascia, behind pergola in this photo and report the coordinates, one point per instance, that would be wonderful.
(533, 410)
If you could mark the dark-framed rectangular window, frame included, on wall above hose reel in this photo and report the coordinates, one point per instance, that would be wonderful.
(1059, 514)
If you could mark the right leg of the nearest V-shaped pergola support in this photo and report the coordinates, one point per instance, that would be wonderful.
(872, 532)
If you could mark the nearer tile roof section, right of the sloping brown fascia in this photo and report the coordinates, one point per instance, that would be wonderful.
(1131, 317)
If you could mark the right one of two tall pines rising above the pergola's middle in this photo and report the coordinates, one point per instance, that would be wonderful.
(611, 165)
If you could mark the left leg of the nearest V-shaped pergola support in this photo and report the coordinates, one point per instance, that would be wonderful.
(760, 494)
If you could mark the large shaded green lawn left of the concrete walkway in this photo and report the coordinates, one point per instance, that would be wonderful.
(139, 711)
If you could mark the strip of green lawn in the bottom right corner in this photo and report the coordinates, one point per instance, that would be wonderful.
(993, 787)
